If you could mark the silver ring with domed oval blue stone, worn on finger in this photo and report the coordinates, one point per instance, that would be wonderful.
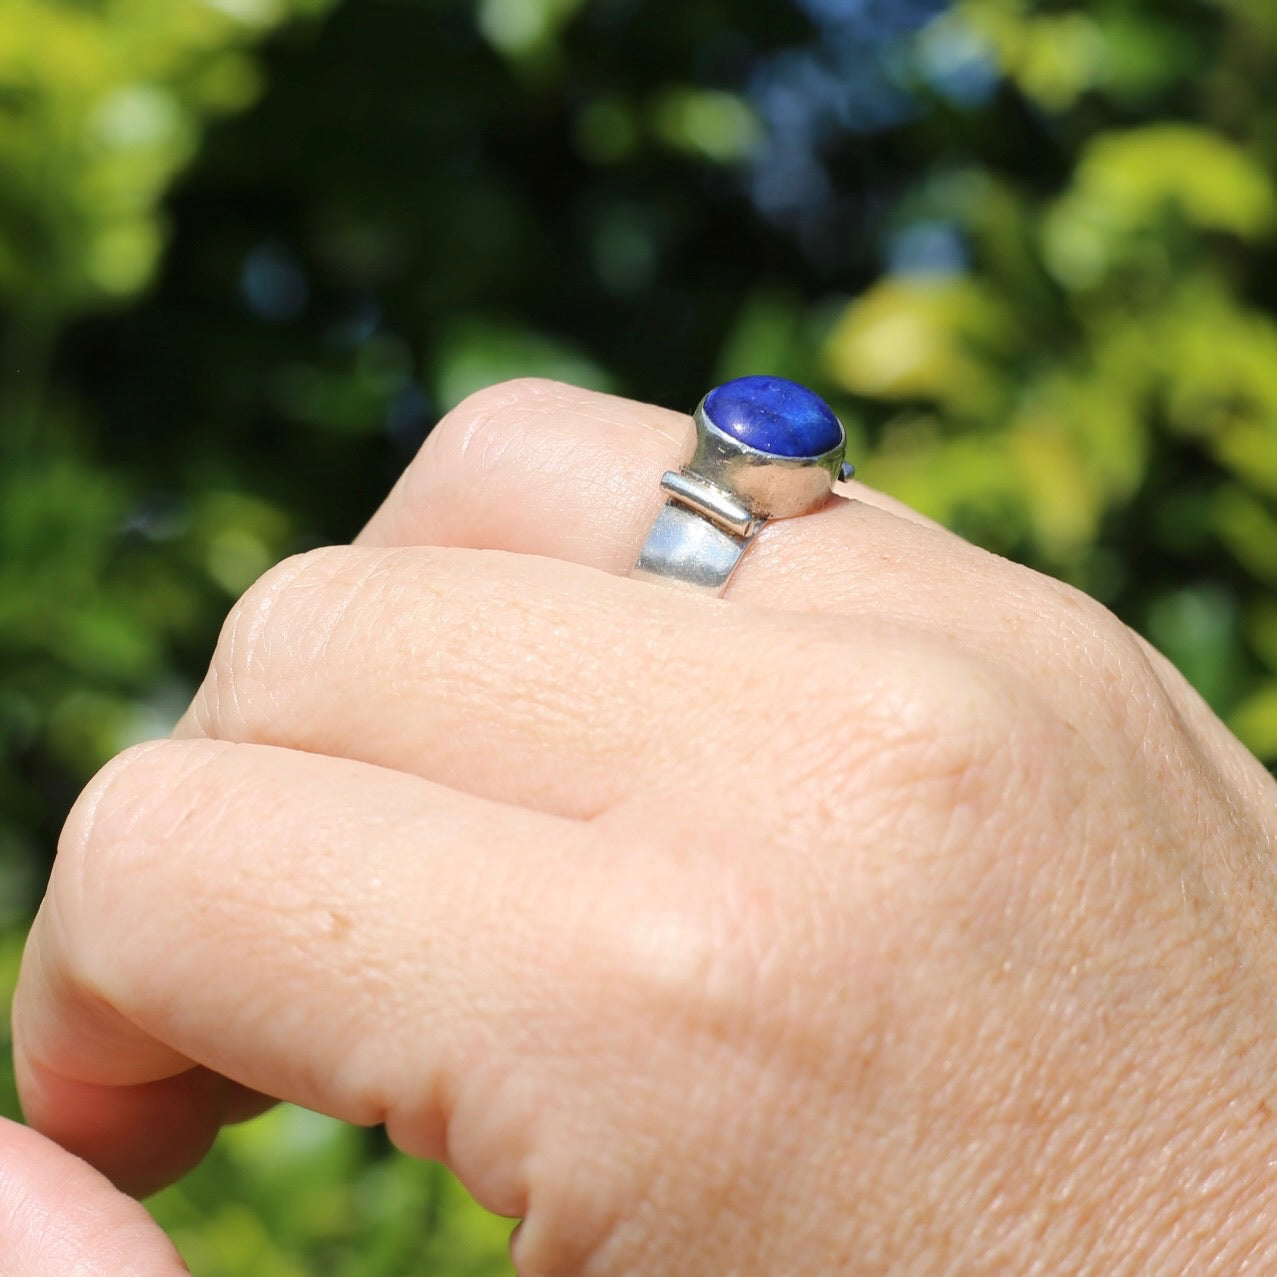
(766, 449)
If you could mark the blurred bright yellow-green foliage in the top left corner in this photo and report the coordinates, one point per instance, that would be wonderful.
(103, 105)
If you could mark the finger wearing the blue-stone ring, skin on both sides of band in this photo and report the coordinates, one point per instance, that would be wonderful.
(541, 468)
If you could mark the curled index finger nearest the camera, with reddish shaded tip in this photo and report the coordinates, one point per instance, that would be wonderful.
(347, 938)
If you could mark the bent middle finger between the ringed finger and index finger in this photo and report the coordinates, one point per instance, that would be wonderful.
(514, 679)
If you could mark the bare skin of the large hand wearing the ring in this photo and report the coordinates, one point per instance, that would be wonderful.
(901, 912)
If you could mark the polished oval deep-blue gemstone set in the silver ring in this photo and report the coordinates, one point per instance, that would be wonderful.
(775, 416)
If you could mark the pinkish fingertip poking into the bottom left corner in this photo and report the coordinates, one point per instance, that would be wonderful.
(59, 1216)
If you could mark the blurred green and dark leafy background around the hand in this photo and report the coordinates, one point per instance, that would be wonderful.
(252, 250)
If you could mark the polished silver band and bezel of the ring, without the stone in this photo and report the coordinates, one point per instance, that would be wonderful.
(720, 500)
